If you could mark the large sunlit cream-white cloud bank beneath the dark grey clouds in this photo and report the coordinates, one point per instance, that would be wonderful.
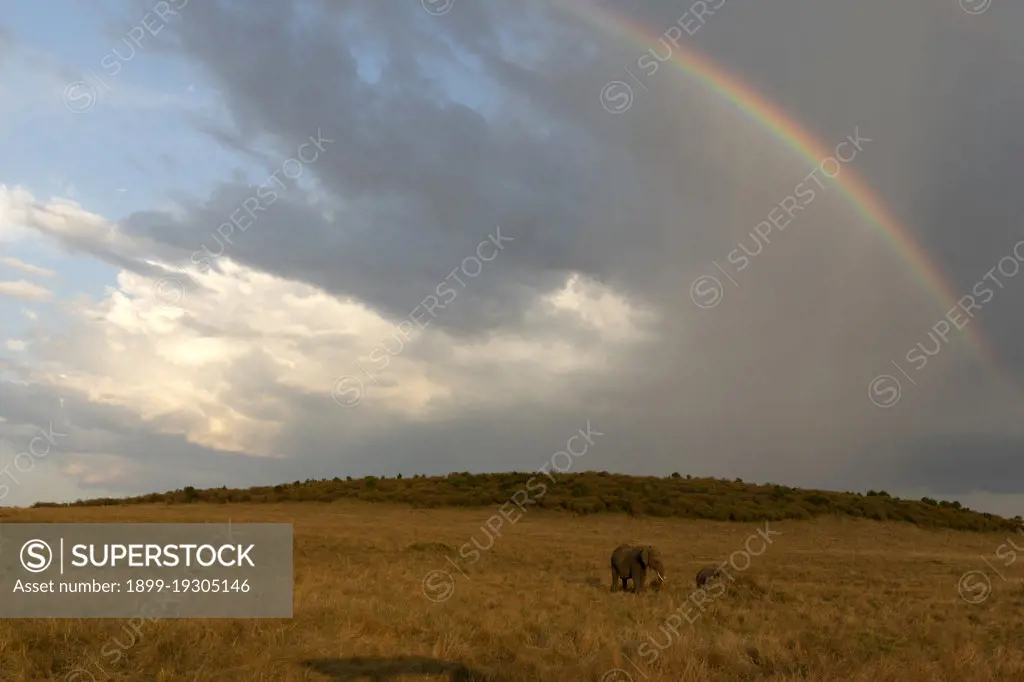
(161, 363)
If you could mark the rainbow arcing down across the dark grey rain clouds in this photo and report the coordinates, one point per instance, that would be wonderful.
(788, 131)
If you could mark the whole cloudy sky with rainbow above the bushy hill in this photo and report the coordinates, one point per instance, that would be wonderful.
(454, 234)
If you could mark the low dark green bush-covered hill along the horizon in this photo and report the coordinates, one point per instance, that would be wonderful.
(594, 493)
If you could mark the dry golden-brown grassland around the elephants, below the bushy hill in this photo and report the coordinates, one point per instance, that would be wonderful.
(831, 600)
